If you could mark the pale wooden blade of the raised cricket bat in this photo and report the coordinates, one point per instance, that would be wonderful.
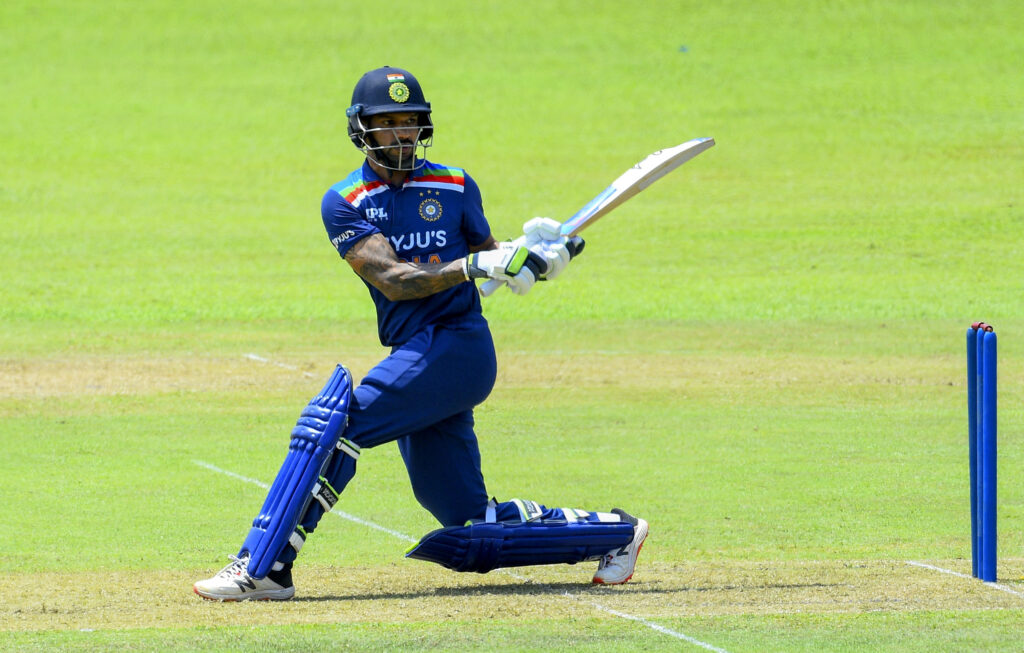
(633, 182)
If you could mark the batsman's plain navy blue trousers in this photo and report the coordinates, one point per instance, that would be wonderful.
(422, 397)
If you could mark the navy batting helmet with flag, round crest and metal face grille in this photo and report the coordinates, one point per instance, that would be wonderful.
(388, 91)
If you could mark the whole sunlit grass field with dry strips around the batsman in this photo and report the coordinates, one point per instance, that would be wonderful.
(763, 355)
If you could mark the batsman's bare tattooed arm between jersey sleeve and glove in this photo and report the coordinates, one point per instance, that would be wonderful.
(375, 260)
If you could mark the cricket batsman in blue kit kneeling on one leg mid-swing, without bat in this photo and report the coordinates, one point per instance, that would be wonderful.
(415, 234)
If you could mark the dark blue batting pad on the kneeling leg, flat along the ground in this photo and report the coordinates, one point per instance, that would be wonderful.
(482, 547)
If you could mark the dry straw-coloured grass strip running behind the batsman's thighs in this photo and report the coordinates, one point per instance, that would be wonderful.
(689, 373)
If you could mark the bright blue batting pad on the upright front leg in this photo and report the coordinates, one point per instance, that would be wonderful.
(315, 439)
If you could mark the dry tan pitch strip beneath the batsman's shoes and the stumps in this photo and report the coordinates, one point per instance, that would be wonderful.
(412, 592)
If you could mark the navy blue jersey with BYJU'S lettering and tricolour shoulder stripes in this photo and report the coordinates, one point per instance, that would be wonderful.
(435, 217)
